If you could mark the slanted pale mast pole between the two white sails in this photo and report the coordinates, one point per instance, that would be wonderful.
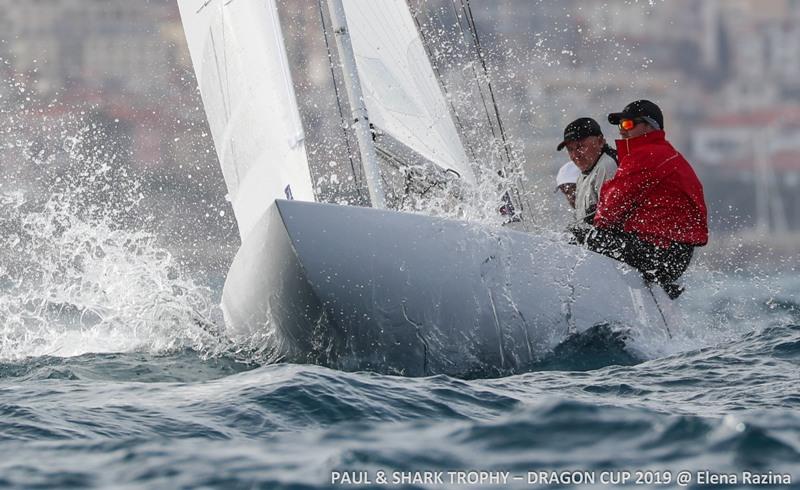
(358, 107)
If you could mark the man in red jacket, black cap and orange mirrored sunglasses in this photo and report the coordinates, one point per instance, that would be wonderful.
(652, 214)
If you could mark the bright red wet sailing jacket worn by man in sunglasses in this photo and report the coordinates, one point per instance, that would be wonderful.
(655, 194)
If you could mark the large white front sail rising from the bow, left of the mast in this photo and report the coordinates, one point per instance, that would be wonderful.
(239, 57)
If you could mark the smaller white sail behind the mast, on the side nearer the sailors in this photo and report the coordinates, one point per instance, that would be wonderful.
(401, 91)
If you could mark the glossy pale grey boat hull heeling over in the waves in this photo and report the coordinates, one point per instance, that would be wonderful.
(362, 289)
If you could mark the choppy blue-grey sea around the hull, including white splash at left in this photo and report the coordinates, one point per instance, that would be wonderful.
(114, 373)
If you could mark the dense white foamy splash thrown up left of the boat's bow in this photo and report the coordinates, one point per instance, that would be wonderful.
(74, 285)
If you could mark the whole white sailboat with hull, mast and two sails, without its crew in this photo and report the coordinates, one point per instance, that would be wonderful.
(371, 288)
